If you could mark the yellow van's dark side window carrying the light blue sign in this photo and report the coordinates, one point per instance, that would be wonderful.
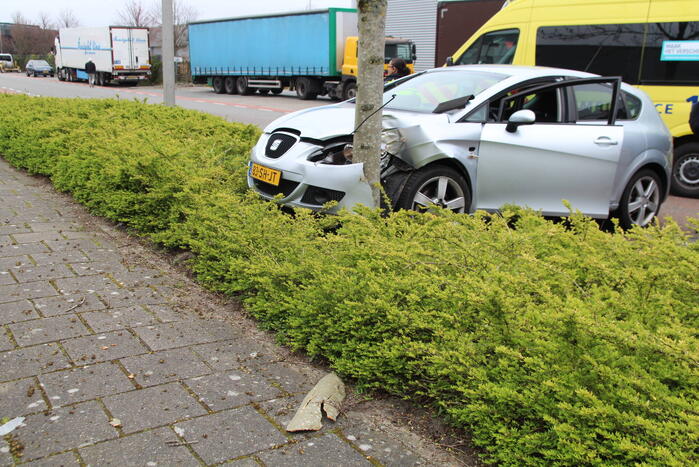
(655, 70)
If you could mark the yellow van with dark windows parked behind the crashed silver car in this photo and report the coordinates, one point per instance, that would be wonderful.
(653, 44)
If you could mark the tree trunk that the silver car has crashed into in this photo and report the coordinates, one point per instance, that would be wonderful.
(367, 139)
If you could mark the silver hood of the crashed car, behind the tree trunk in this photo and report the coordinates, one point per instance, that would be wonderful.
(338, 120)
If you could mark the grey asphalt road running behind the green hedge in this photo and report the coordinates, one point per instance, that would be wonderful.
(256, 109)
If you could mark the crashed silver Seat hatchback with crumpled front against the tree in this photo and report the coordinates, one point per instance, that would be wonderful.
(478, 137)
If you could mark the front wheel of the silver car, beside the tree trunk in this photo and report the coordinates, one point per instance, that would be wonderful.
(437, 185)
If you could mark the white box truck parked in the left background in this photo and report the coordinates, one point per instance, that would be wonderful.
(120, 54)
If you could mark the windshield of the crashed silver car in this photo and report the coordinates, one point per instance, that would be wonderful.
(426, 91)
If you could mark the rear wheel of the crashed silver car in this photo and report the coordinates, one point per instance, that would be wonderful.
(640, 201)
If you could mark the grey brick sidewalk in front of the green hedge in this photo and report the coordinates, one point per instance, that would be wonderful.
(88, 340)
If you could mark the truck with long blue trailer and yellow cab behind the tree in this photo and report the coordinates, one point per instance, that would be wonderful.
(313, 52)
